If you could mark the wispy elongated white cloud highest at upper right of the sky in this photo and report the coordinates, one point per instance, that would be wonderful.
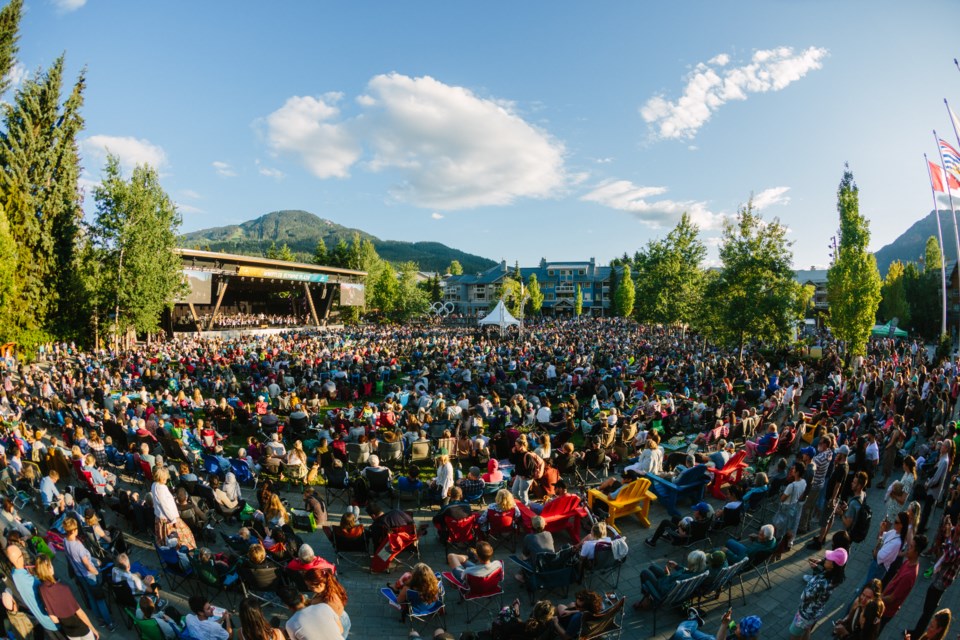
(709, 86)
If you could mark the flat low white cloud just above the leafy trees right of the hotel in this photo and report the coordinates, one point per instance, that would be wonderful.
(623, 195)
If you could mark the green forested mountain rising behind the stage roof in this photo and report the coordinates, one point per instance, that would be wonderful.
(301, 230)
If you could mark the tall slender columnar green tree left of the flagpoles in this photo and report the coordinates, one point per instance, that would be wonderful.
(853, 282)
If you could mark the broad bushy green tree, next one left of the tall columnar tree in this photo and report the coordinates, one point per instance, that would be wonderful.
(754, 296)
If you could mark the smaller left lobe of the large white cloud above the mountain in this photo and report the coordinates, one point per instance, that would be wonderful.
(302, 127)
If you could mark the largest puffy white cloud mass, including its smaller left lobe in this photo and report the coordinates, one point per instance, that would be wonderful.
(449, 148)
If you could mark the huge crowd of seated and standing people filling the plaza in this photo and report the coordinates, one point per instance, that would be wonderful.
(193, 444)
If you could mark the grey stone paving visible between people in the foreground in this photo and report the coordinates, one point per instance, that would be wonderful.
(372, 617)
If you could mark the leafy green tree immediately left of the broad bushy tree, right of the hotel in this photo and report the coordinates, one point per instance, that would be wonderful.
(669, 276)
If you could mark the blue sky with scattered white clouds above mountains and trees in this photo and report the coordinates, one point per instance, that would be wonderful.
(516, 130)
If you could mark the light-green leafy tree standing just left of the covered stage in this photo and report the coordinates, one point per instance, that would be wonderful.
(135, 232)
